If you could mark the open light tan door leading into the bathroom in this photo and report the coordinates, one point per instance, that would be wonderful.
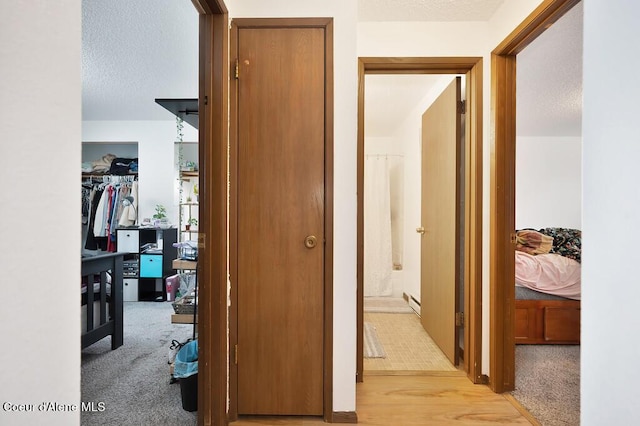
(440, 164)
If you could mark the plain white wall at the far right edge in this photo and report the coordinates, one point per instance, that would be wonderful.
(611, 200)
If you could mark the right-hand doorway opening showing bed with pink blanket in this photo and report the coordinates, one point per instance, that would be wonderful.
(548, 176)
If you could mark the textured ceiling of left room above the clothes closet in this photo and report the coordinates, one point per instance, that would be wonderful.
(134, 51)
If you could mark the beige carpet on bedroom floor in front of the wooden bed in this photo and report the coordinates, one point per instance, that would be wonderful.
(548, 383)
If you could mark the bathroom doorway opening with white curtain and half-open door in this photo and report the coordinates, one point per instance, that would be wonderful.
(397, 321)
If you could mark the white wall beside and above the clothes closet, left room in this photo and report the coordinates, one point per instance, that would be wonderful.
(158, 178)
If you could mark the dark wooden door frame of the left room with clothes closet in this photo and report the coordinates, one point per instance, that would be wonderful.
(213, 126)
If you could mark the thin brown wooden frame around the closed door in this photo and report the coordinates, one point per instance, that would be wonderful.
(327, 25)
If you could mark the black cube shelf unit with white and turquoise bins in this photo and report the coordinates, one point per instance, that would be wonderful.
(146, 267)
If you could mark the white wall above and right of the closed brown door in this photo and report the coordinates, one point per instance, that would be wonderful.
(345, 136)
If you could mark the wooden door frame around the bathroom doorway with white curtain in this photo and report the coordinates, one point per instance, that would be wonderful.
(471, 67)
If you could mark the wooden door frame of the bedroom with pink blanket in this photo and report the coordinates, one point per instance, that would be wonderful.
(502, 216)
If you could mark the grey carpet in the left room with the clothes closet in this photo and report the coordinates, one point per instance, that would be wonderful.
(133, 380)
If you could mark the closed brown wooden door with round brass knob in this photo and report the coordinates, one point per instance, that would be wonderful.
(280, 189)
